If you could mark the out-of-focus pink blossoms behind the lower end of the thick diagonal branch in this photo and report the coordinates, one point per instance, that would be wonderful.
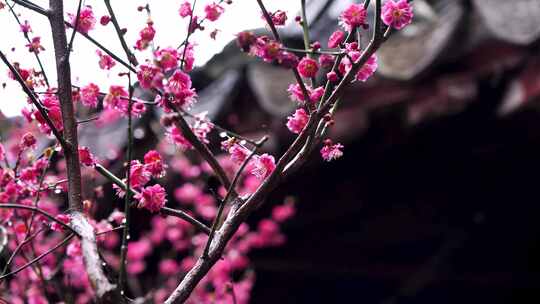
(180, 244)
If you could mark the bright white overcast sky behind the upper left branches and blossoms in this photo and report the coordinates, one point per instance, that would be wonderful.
(171, 29)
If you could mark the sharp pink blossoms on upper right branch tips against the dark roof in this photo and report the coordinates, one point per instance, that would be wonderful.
(395, 14)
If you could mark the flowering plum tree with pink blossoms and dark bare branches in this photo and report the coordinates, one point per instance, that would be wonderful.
(199, 238)
